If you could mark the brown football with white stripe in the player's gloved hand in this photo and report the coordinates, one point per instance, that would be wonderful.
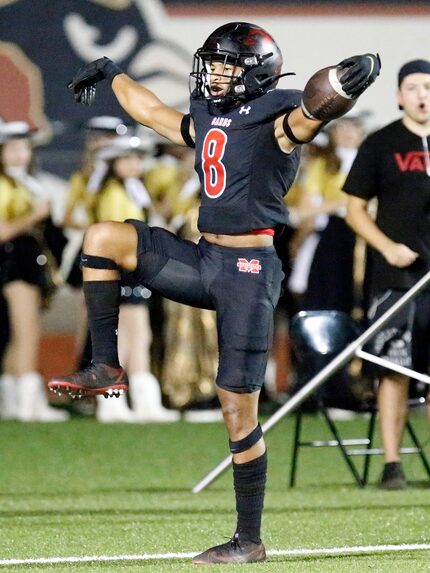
(323, 97)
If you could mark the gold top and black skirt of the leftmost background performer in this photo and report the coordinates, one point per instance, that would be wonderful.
(22, 258)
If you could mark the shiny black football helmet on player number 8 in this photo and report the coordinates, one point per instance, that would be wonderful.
(244, 45)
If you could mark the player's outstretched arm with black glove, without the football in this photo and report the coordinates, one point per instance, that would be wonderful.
(139, 102)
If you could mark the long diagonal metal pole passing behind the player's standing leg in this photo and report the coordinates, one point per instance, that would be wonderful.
(340, 360)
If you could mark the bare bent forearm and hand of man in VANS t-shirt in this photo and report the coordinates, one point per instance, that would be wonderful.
(359, 219)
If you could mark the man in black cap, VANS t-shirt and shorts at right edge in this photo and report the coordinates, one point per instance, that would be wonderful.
(393, 165)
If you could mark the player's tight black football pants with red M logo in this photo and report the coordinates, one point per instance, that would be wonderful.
(241, 284)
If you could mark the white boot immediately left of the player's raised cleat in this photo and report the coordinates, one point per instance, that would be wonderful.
(33, 404)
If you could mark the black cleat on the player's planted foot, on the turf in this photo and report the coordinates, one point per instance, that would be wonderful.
(233, 552)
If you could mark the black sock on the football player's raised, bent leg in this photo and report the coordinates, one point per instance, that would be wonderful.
(102, 300)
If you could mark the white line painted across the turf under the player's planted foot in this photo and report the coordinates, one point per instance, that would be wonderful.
(273, 552)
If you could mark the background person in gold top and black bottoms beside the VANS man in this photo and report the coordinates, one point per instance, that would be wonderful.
(331, 274)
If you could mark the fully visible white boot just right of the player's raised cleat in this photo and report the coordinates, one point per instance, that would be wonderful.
(145, 397)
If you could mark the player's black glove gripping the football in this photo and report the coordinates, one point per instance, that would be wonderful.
(361, 72)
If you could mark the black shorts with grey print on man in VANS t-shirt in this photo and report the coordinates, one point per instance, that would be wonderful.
(405, 338)
